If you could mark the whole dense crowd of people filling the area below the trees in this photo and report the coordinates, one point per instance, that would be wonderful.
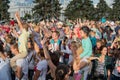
(57, 50)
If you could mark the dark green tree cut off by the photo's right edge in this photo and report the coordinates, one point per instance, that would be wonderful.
(116, 10)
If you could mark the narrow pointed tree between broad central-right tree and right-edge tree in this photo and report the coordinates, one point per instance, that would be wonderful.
(102, 10)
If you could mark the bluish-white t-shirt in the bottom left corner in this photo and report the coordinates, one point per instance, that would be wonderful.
(4, 70)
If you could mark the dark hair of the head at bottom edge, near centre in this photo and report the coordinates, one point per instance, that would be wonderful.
(61, 72)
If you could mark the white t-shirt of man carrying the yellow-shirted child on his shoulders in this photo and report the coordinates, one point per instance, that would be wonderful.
(23, 63)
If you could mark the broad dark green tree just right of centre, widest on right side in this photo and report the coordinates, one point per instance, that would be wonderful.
(80, 9)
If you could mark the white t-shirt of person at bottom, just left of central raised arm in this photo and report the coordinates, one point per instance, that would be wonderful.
(42, 66)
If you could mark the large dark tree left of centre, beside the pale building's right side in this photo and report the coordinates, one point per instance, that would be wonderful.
(47, 8)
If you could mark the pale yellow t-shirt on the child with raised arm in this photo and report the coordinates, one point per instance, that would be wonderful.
(22, 41)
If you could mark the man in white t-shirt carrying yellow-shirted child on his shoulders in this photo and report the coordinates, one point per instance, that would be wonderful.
(21, 64)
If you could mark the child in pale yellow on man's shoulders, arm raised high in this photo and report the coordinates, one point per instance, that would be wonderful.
(22, 42)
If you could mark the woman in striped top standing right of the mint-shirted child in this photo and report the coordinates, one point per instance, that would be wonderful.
(100, 65)
